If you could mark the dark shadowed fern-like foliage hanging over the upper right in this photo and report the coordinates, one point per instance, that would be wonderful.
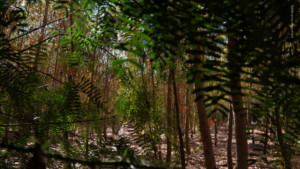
(260, 39)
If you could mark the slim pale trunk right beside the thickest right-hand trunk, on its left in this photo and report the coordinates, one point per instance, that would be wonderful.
(229, 141)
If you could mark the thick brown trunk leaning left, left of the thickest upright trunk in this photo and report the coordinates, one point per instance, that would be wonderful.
(203, 124)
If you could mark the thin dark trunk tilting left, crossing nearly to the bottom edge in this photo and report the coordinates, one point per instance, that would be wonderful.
(177, 120)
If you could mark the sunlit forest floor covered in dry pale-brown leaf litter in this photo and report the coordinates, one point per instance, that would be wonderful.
(196, 159)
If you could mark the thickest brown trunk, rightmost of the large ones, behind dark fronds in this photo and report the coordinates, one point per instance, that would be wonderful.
(240, 118)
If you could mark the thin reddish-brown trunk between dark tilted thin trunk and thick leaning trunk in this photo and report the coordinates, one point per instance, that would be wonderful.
(187, 139)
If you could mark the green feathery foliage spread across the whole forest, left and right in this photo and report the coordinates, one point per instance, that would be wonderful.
(164, 32)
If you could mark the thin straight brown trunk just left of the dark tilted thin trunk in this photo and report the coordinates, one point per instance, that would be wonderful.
(169, 102)
